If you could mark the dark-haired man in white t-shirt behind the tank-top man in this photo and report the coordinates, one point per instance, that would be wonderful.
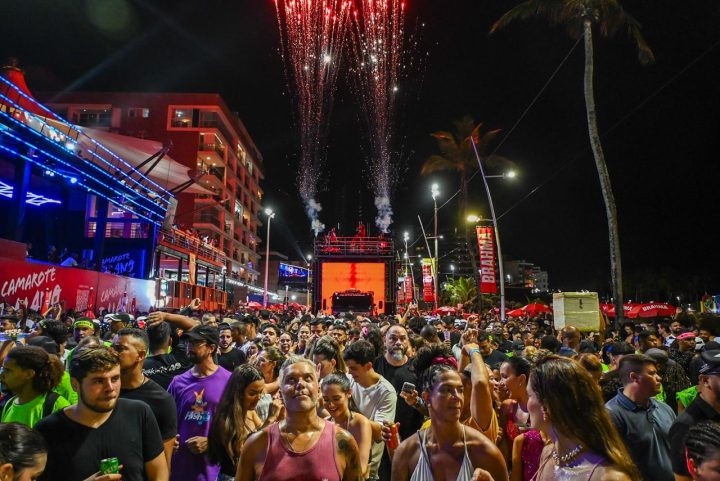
(375, 397)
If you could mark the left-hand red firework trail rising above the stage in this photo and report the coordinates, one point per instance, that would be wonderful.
(312, 35)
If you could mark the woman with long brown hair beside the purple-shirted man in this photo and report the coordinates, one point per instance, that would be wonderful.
(235, 419)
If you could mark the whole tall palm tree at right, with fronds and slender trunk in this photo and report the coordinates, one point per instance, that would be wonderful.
(578, 17)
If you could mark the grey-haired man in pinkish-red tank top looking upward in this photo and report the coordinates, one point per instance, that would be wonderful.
(302, 445)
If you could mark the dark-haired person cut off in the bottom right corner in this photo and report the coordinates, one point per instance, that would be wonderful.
(703, 451)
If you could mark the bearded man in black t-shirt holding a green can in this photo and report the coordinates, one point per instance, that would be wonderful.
(101, 426)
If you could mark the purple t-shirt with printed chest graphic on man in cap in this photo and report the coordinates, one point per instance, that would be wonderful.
(196, 399)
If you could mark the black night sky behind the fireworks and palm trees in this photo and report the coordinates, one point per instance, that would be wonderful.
(660, 123)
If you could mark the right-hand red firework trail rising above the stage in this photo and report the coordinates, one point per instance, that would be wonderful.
(379, 63)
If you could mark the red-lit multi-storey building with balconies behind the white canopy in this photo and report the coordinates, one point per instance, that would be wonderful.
(210, 140)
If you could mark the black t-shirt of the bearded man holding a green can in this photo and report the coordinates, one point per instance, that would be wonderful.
(130, 434)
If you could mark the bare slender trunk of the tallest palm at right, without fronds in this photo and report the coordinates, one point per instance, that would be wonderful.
(606, 187)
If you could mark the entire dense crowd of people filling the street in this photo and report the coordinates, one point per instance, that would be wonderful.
(255, 395)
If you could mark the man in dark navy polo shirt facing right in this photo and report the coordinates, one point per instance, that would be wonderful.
(643, 422)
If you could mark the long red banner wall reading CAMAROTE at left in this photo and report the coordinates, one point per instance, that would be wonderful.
(80, 289)
